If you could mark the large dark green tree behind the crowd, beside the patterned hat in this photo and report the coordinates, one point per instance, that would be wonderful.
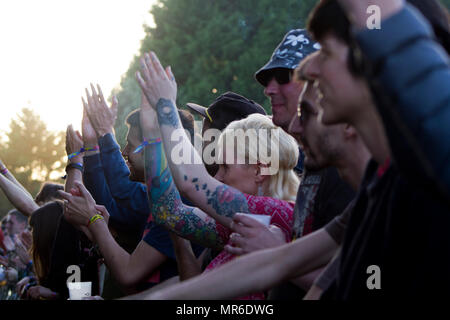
(211, 45)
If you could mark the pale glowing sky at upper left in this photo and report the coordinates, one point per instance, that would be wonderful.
(52, 49)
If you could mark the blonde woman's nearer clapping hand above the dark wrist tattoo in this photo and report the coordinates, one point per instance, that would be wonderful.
(155, 82)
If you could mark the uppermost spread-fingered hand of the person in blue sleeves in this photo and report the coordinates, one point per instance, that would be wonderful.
(101, 116)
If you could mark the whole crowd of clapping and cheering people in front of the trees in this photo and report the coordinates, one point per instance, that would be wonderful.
(358, 193)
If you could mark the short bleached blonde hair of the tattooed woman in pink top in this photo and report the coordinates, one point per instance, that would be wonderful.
(284, 183)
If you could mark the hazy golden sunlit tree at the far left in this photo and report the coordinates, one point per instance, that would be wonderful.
(32, 153)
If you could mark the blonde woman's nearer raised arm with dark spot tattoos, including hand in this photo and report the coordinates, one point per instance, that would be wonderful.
(193, 181)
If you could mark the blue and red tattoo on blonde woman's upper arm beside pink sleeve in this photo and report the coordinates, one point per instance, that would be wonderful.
(227, 200)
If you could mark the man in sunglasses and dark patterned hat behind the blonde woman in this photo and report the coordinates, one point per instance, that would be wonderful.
(322, 195)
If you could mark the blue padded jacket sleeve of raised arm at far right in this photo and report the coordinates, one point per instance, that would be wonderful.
(413, 72)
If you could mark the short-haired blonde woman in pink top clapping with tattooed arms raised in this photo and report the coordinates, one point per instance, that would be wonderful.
(237, 186)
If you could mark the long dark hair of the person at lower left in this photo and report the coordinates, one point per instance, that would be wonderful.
(44, 223)
